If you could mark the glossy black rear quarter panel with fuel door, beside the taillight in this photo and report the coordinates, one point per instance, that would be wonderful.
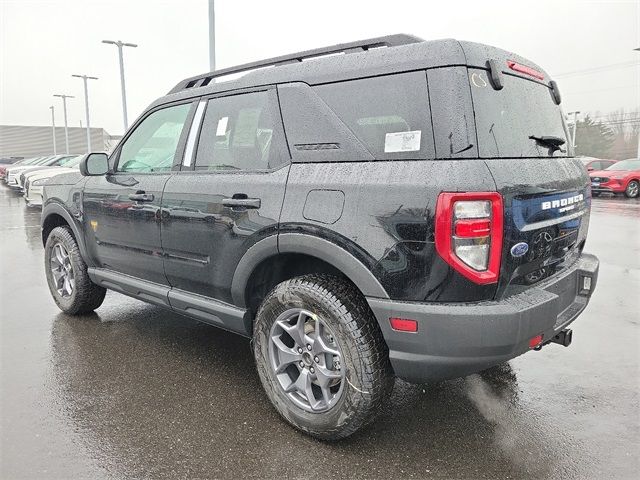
(387, 219)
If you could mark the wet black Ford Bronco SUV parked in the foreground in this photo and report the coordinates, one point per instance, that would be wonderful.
(386, 207)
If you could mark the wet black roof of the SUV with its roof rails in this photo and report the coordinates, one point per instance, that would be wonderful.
(365, 58)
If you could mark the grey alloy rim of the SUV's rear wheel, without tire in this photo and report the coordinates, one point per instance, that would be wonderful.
(306, 360)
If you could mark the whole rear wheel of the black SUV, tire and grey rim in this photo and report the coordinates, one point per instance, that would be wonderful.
(321, 356)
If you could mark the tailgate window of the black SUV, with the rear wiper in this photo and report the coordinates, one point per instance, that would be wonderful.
(505, 119)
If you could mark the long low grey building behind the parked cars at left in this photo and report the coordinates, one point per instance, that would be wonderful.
(27, 141)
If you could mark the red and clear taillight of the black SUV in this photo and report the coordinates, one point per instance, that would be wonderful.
(469, 233)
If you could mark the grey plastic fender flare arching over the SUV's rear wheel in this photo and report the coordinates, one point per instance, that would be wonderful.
(305, 244)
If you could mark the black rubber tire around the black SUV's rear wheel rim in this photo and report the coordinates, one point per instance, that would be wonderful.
(368, 374)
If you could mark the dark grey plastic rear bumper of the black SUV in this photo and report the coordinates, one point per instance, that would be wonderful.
(455, 340)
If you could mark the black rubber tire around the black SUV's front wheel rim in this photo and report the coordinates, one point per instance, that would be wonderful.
(85, 296)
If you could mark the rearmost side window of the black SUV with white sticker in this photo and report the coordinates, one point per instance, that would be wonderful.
(389, 115)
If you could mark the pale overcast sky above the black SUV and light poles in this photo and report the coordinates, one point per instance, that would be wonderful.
(43, 42)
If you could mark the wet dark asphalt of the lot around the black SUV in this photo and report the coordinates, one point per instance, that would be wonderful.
(138, 391)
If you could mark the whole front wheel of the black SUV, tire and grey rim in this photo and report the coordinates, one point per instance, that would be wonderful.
(69, 283)
